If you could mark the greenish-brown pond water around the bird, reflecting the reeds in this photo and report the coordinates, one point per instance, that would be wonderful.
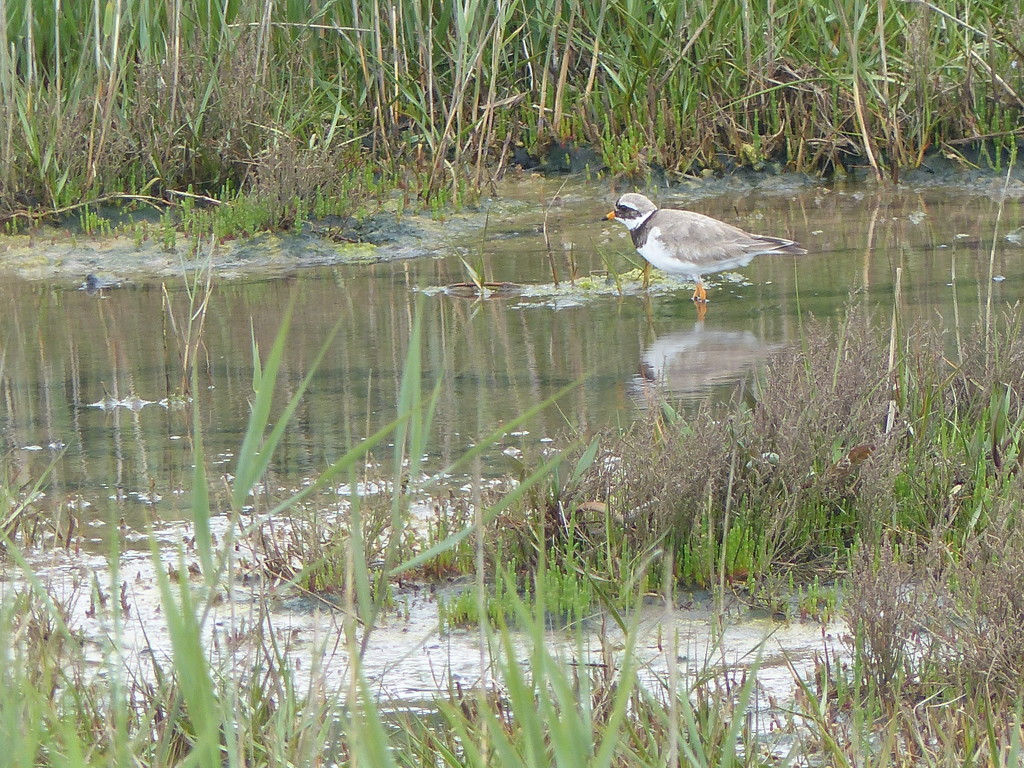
(92, 382)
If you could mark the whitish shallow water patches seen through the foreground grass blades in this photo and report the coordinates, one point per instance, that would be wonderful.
(410, 660)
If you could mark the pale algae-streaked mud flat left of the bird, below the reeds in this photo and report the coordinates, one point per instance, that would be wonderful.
(142, 252)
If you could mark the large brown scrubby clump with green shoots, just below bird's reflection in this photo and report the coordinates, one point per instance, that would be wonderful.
(856, 434)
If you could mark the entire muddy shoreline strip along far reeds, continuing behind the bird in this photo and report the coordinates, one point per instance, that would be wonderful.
(534, 201)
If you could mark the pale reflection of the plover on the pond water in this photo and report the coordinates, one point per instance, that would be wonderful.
(690, 364)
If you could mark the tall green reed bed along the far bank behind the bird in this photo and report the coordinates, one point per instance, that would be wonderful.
(292, 111)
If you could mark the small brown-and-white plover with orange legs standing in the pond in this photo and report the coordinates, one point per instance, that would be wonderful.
(692, 244)
